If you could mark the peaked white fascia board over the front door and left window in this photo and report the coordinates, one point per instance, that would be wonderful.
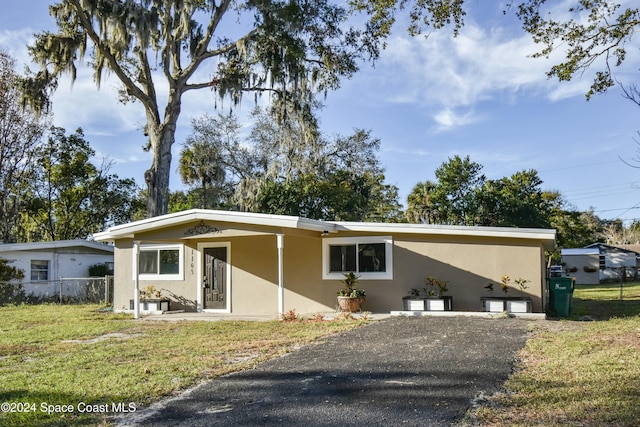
(129, 230)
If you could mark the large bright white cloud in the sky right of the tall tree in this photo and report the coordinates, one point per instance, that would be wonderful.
(478, 65)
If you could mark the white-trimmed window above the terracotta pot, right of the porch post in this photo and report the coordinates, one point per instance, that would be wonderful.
(369, 257)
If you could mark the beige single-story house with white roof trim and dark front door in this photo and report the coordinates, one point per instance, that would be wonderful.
(252, 263)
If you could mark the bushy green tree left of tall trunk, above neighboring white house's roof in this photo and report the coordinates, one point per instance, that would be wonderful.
(71, 198)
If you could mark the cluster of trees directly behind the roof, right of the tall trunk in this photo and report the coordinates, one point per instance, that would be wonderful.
(288, 168)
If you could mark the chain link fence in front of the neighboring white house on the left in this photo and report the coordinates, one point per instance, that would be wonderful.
(67, 290)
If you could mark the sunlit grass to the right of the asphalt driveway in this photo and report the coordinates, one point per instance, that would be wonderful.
(578, 373)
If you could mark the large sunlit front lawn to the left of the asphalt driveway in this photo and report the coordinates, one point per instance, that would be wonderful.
(49, 355)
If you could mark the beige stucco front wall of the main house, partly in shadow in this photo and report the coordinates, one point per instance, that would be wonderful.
(467, 263)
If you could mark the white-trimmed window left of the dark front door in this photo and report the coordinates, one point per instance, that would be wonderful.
(161, 262)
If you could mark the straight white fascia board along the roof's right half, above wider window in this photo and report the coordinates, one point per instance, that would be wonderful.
(547, 235)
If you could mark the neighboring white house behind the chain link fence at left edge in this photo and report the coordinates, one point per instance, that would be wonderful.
(45, 263)
